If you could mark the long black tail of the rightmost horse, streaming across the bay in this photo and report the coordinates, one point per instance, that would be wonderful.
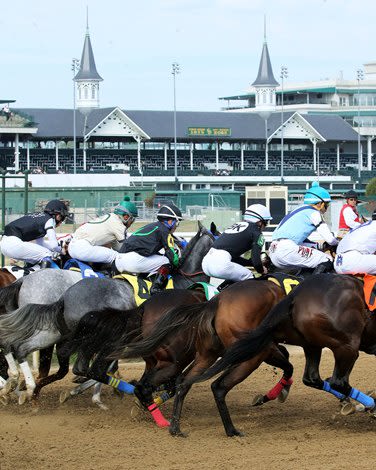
(252, 343)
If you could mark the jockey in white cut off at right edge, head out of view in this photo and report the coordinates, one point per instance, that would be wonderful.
(356, 251)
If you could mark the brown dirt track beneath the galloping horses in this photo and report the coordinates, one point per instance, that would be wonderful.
(306, 432)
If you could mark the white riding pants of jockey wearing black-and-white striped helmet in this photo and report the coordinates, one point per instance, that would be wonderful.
(134, 263)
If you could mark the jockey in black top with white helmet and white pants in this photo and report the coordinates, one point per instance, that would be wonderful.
(224, 258)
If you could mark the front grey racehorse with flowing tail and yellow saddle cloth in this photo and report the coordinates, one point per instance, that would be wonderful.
(35, 326)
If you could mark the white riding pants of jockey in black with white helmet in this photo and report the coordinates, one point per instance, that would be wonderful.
(217, 263)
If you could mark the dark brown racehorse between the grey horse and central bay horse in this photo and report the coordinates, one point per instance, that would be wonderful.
(99, 332)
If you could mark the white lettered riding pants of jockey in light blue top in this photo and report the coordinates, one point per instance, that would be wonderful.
(286, 253)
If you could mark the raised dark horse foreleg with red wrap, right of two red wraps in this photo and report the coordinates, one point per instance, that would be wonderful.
(278, 358)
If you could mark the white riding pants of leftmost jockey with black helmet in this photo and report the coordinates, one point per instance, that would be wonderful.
(30, 252)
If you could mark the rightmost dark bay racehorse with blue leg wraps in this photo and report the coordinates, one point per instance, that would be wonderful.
(326, 310)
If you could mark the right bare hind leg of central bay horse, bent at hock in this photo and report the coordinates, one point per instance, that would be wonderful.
(227, 381)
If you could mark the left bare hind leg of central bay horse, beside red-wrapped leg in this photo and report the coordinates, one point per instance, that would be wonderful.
(201, 363)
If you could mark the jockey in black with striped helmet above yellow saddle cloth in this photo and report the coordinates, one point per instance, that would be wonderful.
(140, 252)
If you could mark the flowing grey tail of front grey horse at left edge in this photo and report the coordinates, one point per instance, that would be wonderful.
(20, 325)
